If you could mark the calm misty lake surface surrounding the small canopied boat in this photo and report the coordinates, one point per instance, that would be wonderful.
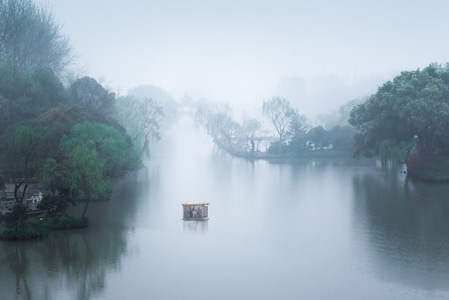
(310, 229)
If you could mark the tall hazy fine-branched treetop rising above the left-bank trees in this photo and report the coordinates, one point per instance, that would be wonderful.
(31, 38)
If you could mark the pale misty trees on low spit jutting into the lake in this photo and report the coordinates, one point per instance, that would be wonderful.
(244, 139)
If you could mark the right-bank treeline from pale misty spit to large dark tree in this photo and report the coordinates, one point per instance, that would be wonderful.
(405, 121)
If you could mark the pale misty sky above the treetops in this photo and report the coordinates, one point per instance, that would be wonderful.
(241, 51)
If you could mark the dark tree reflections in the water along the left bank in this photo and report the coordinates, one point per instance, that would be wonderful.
(73, 263)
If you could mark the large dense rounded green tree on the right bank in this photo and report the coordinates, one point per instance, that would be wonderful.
(412, 107)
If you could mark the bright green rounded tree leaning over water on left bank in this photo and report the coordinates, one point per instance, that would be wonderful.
(93, 153)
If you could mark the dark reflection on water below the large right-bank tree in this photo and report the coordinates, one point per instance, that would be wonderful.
(407, 225)
